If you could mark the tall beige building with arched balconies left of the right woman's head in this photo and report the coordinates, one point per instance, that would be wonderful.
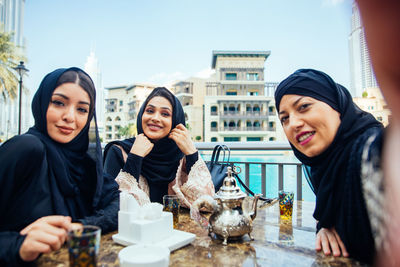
(235, 105)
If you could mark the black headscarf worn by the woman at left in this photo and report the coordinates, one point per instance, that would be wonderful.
(73, 173)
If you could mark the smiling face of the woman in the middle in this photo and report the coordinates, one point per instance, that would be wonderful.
(157, 118)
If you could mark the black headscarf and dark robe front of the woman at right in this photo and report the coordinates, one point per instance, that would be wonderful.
(335, 173)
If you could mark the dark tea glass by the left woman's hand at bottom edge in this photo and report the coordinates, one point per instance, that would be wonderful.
(84, 245)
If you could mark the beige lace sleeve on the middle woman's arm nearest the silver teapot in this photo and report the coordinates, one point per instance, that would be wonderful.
(190, 187)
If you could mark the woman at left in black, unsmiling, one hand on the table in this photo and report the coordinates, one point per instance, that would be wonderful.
(47, 179)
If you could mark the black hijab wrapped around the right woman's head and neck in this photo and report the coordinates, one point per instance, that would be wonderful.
(329, 170)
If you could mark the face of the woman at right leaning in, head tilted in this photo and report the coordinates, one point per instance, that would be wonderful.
(309, 124)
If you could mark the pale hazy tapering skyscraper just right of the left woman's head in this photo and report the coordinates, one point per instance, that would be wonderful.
(93, 69)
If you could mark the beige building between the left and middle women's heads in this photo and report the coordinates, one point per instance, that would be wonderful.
(122, 105)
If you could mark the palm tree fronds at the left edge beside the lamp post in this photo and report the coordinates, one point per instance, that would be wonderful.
(8, 59)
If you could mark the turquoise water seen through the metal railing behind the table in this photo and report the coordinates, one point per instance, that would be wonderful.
(289, 174)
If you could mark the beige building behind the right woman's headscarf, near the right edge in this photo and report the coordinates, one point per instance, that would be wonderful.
(374, 103)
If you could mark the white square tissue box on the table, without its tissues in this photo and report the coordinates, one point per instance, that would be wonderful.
(144, 231)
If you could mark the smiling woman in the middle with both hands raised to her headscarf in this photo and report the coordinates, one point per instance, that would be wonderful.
(162, 158)
